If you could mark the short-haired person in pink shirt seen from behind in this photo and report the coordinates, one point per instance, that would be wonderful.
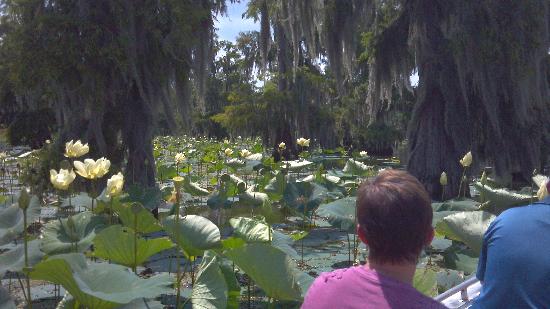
(394, 216)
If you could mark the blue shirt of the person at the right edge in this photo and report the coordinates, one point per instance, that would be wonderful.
(514, 265)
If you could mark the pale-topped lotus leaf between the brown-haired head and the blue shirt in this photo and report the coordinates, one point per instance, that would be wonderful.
(467, 227)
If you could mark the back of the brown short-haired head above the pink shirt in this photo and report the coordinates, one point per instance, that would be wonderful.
(394, 216)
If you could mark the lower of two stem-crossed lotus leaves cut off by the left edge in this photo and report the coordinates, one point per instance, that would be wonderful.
(14, 259)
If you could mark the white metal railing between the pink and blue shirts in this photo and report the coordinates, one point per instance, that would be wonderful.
(462, 295)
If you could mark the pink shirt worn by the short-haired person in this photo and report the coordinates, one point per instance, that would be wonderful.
(359, 287)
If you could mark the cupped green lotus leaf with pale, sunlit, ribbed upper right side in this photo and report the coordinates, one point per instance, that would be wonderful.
(193, 234)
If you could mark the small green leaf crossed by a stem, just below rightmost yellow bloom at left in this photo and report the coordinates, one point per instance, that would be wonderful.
(146, 222)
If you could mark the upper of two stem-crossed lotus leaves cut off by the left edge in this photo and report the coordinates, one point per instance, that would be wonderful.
(11, 220)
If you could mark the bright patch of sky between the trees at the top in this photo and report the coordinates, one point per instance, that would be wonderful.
(229, 26)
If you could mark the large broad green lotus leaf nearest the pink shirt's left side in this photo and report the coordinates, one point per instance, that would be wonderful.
(270, 268)
